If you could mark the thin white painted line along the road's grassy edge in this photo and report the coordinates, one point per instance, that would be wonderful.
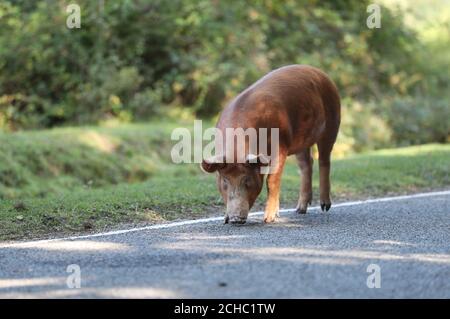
(211, 219)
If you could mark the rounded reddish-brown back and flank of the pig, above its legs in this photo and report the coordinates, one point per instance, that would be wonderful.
(297, 99)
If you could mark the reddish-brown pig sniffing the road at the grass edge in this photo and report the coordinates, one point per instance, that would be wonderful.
(303, 104)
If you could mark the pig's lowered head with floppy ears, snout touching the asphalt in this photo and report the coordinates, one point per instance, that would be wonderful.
(239, 184)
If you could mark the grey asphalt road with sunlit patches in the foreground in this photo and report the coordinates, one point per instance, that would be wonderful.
(309, 256)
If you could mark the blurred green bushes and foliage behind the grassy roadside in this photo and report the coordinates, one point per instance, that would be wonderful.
(143, 60)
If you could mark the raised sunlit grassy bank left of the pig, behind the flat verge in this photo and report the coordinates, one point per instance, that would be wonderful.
(38, 163)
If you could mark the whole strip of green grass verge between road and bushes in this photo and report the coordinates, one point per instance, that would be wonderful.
(76, 180)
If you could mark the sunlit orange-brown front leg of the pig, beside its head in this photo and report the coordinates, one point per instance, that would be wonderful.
(273, 189)
